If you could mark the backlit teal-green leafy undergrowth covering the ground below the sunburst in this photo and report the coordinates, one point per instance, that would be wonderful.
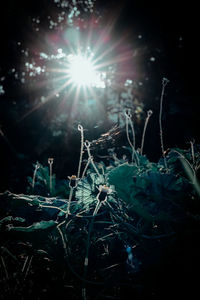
(147, 209)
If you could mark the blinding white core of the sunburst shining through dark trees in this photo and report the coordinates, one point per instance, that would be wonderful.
(82, 72)
